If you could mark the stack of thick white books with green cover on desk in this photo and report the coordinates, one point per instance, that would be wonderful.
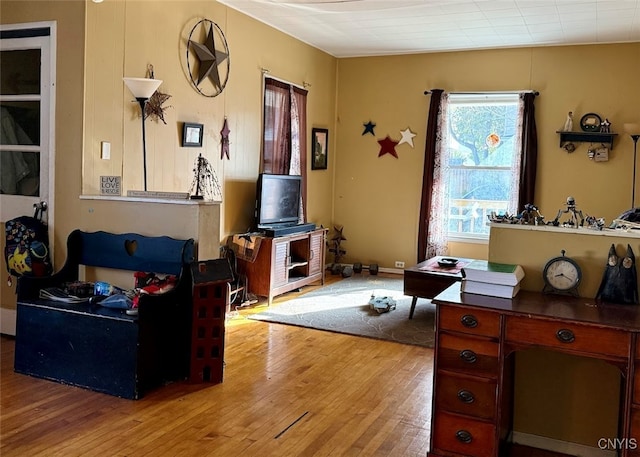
(491, 278)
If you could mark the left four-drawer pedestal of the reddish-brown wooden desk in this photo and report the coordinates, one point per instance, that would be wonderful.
(466, 375)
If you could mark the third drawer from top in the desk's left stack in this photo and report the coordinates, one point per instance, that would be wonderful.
(473, 397)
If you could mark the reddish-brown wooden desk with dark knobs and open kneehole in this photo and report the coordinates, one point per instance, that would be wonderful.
(476, 337)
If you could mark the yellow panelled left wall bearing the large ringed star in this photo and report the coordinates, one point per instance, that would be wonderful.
(124, 37)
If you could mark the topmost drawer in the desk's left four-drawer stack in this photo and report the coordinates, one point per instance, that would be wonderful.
(472, 321)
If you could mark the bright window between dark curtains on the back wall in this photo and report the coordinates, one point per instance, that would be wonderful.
(480, 161)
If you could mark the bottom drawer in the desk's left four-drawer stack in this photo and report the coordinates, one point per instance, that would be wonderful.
(464, 436)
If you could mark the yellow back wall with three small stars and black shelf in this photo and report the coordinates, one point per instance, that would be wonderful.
(377, 199)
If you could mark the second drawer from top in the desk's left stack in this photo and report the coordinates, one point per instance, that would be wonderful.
(475, 356)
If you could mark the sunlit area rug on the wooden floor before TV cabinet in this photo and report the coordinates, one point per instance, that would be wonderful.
(343, 307)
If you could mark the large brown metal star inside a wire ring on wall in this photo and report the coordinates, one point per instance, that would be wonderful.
(208, 63)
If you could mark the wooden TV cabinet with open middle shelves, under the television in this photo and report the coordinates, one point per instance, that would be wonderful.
(286, 263)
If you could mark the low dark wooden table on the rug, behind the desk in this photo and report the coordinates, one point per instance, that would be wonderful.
(427, 279)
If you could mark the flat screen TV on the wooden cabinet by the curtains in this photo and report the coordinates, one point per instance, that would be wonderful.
(277, 200)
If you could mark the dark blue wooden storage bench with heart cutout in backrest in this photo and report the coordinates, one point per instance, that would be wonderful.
(105, 349)
